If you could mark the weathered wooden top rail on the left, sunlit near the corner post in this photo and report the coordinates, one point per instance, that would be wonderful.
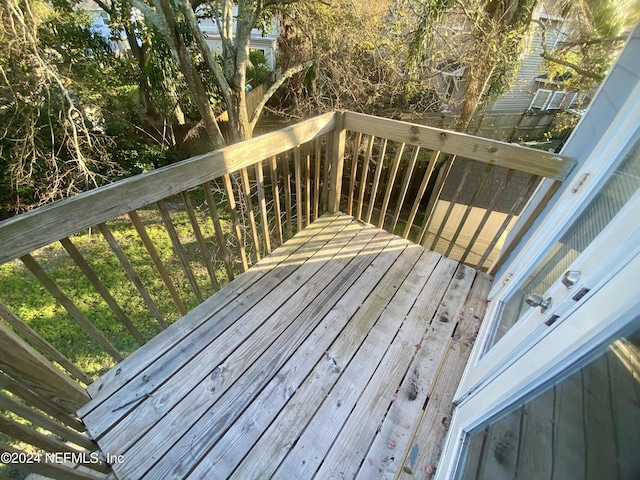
(25, 233)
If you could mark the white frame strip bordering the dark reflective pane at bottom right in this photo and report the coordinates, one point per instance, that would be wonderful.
(592, 324)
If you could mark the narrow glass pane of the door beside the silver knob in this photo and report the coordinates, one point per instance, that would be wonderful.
(615, 193)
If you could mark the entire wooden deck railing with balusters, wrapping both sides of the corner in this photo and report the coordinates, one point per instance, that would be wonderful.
(219, 213)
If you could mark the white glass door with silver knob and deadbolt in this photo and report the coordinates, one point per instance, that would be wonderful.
(592, 227)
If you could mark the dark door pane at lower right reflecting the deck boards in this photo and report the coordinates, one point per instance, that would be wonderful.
(582, 426)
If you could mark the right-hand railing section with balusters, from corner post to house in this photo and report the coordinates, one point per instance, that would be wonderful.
(452, 193)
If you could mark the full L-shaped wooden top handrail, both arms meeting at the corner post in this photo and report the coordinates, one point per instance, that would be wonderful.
(25, 233)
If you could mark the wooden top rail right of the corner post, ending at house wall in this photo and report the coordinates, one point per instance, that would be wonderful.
(508, 155)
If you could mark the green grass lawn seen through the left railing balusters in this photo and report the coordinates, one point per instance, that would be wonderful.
(28, 299)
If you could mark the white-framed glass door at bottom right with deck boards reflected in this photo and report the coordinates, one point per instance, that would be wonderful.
(568, 407)
